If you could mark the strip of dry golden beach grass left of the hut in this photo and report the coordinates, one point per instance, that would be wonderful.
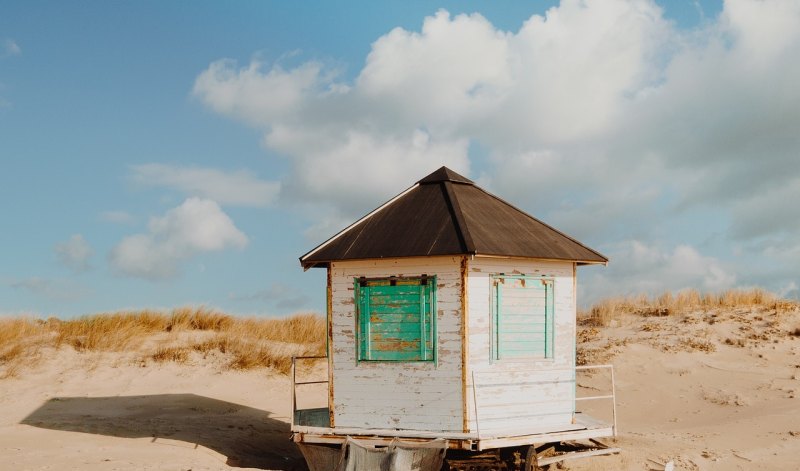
(247, 343)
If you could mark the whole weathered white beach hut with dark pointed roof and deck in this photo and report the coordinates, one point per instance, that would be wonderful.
(451, 315)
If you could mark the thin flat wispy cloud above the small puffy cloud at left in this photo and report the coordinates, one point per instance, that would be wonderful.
(238, 188)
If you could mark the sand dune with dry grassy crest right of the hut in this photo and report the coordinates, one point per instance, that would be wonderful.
(709, 391)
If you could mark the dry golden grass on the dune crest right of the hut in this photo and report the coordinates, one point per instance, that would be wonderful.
(744, 316)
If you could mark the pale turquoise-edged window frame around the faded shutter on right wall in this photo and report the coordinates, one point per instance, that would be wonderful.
(546, 353)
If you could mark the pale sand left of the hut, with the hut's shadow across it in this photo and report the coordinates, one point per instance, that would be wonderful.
(107, 412)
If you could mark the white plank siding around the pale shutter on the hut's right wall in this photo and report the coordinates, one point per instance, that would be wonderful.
(515, 395)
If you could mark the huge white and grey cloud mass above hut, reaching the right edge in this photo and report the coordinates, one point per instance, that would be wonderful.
(600, 116)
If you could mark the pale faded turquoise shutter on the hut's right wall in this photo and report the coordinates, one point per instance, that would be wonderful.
(523, 317)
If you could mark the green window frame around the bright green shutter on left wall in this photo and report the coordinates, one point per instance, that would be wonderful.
(428, 314)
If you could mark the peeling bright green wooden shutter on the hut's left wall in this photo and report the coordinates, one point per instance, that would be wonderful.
(396, 321)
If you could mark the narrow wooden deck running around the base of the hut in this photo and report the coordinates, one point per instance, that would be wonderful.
(312, 426)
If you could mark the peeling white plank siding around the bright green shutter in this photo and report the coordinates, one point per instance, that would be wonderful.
(398, 395)
